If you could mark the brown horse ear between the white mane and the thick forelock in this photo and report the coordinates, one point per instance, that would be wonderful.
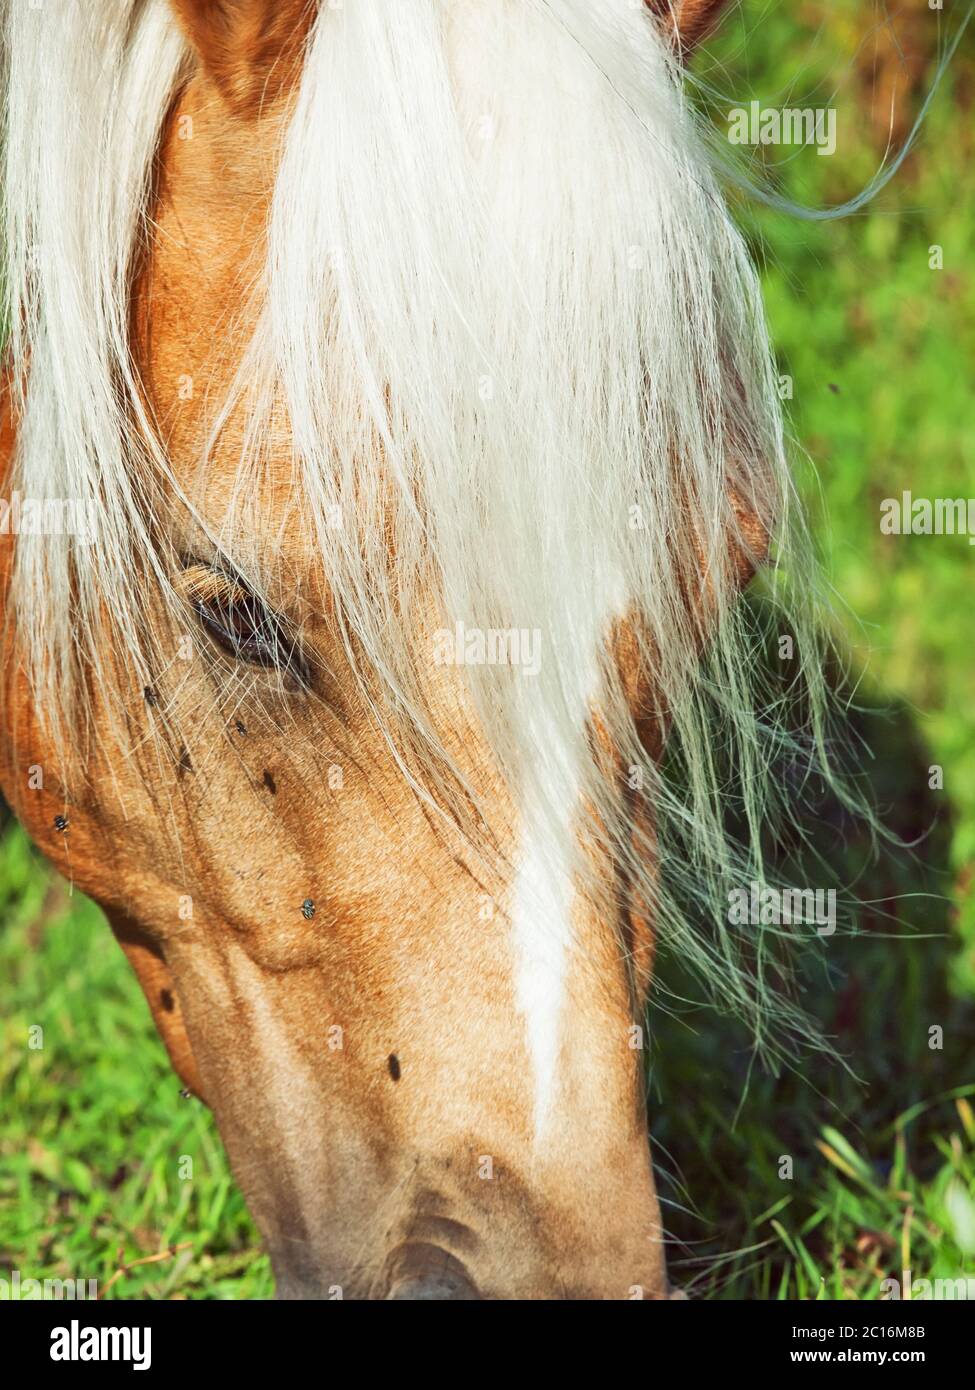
(251, 49)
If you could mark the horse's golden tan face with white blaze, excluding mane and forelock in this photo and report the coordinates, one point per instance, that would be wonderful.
(422, 1045)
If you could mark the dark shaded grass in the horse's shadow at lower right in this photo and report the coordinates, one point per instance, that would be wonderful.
(876, 1139)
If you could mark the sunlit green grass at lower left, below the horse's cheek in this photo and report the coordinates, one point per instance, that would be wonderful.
(94, 1134)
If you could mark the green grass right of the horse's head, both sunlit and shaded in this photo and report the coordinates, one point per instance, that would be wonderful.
(877, 345)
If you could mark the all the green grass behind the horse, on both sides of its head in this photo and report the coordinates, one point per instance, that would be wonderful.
(881, 351)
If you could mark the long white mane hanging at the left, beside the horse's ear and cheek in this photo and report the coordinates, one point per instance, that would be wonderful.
(86, 90)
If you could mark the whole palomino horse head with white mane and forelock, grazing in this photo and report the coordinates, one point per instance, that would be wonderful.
(414, 382)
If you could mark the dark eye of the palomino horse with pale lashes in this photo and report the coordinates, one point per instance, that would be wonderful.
(240, 623)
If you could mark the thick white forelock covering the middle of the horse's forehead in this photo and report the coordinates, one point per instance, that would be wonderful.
(487, 258)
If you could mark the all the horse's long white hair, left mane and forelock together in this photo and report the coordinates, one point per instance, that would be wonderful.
(500, 265)
